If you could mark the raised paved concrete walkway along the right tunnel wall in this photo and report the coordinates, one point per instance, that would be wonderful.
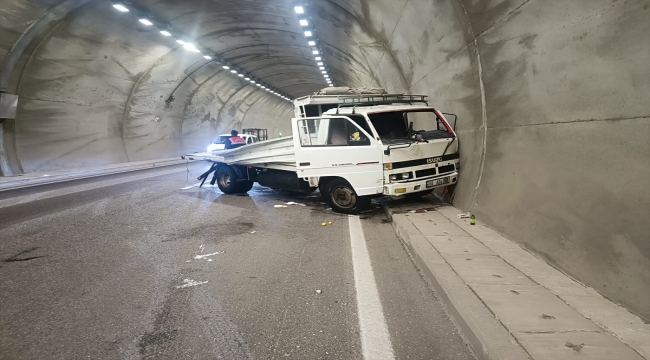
(509, 303)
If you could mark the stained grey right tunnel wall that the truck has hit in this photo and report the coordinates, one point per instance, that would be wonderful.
(553, 99)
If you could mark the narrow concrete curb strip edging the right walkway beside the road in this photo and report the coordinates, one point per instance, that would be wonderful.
(482, 330)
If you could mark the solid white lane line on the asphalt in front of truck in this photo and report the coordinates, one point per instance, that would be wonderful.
(375, 339)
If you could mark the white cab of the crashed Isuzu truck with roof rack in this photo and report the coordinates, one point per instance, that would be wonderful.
(389, 145)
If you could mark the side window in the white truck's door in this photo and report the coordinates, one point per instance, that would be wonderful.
(331, 132)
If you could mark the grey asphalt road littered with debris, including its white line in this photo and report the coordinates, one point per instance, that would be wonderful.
(144, 265)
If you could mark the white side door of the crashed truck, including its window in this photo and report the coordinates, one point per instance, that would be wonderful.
(336, 146)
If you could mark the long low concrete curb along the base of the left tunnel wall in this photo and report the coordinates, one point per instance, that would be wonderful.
(28, 180)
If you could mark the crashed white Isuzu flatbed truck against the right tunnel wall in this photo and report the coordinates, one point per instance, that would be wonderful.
(350, 147)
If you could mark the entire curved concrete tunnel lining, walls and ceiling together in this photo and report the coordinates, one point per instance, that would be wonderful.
(551, 97)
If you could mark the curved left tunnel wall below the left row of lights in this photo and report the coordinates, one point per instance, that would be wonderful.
(93, 90)
